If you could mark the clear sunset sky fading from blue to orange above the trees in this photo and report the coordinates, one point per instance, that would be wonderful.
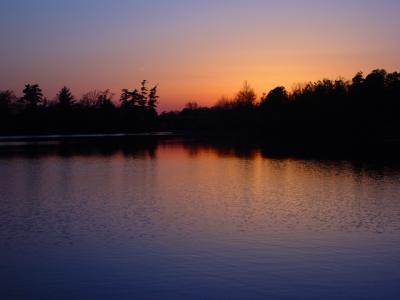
(195, 50)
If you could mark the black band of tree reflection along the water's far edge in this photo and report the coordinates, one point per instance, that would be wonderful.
(375, 159)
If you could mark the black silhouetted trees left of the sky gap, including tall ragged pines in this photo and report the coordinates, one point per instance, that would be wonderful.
(94, 112)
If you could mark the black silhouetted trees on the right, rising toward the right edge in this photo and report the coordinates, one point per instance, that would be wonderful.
(366, 107)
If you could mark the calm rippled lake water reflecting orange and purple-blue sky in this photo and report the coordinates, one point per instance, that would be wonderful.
(174, 221)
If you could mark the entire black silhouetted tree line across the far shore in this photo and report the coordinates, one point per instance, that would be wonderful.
(365, 107)
